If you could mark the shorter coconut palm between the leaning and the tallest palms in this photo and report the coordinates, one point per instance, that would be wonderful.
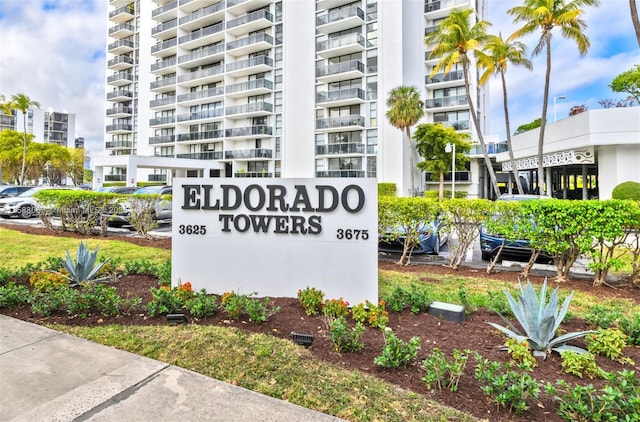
(494, 58)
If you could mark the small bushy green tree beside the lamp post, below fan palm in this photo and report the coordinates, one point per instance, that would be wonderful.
(431, 143)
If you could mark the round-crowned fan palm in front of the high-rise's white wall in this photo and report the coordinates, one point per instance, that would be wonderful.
(405, 110)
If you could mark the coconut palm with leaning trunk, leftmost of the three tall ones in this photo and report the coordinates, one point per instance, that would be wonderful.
(454, 40)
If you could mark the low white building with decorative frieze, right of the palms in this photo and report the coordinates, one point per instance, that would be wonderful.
(597, 143)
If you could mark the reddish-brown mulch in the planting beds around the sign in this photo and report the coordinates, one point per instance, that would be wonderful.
(474, 334)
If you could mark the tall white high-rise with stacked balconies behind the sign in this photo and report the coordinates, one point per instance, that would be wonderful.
(272, 88)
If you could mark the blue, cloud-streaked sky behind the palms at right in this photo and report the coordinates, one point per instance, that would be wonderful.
(583, 80)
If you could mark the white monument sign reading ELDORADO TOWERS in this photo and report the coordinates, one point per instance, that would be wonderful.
(275, 236)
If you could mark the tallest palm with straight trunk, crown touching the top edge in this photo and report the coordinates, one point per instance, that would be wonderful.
(543, 16)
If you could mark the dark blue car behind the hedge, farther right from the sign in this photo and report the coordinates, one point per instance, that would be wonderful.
(517, 249)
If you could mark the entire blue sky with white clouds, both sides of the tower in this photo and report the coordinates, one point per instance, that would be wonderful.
(53, 51)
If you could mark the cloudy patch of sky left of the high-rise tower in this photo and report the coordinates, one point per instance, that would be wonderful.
(56, 57)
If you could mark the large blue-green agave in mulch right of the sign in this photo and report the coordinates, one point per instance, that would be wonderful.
(539, 320)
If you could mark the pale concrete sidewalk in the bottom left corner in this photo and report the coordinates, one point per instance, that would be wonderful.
(46, 375)
